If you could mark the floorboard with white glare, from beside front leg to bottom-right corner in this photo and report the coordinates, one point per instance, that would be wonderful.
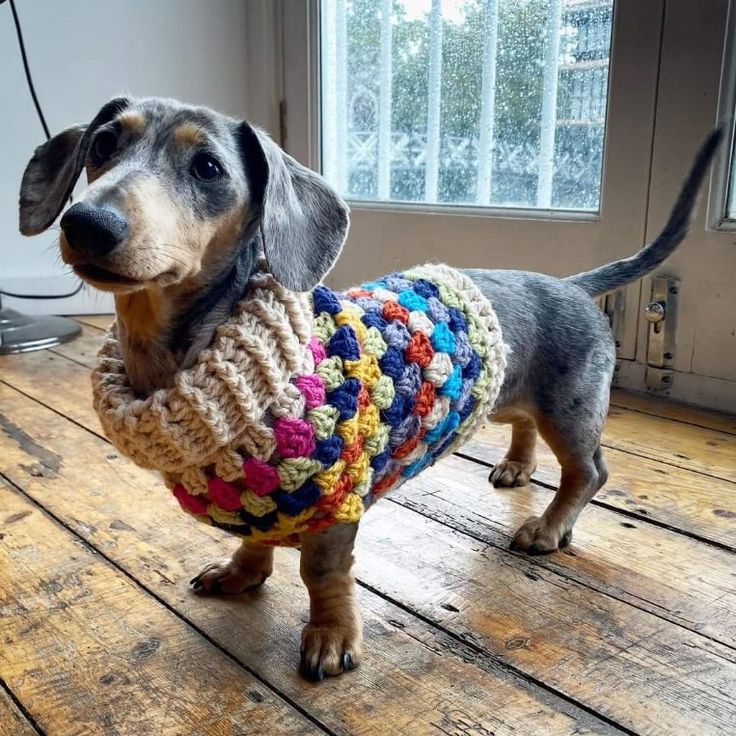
(627, 665)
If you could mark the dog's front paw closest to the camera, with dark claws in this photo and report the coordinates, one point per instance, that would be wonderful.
(329, 650)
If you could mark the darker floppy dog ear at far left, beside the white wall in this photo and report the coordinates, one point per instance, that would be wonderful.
(53, 171)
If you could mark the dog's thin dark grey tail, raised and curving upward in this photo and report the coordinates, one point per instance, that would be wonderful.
(619, 273)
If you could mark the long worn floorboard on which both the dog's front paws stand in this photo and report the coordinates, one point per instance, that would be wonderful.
(419, 676)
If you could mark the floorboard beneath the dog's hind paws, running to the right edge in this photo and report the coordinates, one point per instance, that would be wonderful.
(670, 575)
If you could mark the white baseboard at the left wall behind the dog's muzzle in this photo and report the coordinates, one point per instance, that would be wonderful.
(87, 301)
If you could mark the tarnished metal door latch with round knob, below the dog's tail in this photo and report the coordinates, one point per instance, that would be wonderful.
(661, 313)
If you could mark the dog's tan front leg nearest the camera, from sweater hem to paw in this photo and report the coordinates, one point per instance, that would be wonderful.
(331, 641)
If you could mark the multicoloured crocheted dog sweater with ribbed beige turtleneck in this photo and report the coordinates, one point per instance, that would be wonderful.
(306, 408)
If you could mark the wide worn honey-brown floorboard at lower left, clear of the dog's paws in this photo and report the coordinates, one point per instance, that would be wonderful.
(86, 651)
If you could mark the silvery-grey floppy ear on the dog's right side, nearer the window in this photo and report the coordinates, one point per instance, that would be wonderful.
(303, 220)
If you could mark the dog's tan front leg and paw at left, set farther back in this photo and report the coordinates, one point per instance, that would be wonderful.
(249, 567)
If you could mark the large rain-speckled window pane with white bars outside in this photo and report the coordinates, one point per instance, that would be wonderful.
(472, 102)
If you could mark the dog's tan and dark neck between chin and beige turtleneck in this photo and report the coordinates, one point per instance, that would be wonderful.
(163, 330)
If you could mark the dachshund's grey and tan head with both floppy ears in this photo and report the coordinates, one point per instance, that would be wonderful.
(172, 190)
